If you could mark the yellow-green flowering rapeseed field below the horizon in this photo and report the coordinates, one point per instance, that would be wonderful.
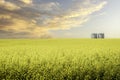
(60, 59)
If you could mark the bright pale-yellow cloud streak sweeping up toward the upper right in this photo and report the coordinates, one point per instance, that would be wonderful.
(74, 17)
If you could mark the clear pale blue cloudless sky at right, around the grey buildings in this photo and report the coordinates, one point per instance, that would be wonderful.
(107, 21)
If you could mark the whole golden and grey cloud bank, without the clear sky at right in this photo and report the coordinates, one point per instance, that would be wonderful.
(34, 19)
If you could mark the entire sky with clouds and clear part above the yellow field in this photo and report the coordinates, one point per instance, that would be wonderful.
(59, 18)
